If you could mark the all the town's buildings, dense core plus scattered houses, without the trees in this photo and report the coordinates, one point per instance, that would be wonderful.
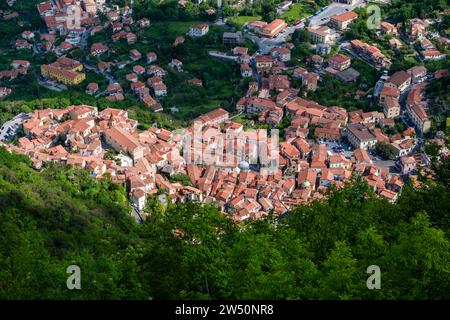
(247, 173)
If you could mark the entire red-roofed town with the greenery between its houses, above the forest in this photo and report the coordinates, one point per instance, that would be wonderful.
(377, 126)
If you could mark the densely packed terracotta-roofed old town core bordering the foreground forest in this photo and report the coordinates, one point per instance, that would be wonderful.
(245, 173)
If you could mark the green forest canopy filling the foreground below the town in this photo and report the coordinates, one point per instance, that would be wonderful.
(60, 216)
